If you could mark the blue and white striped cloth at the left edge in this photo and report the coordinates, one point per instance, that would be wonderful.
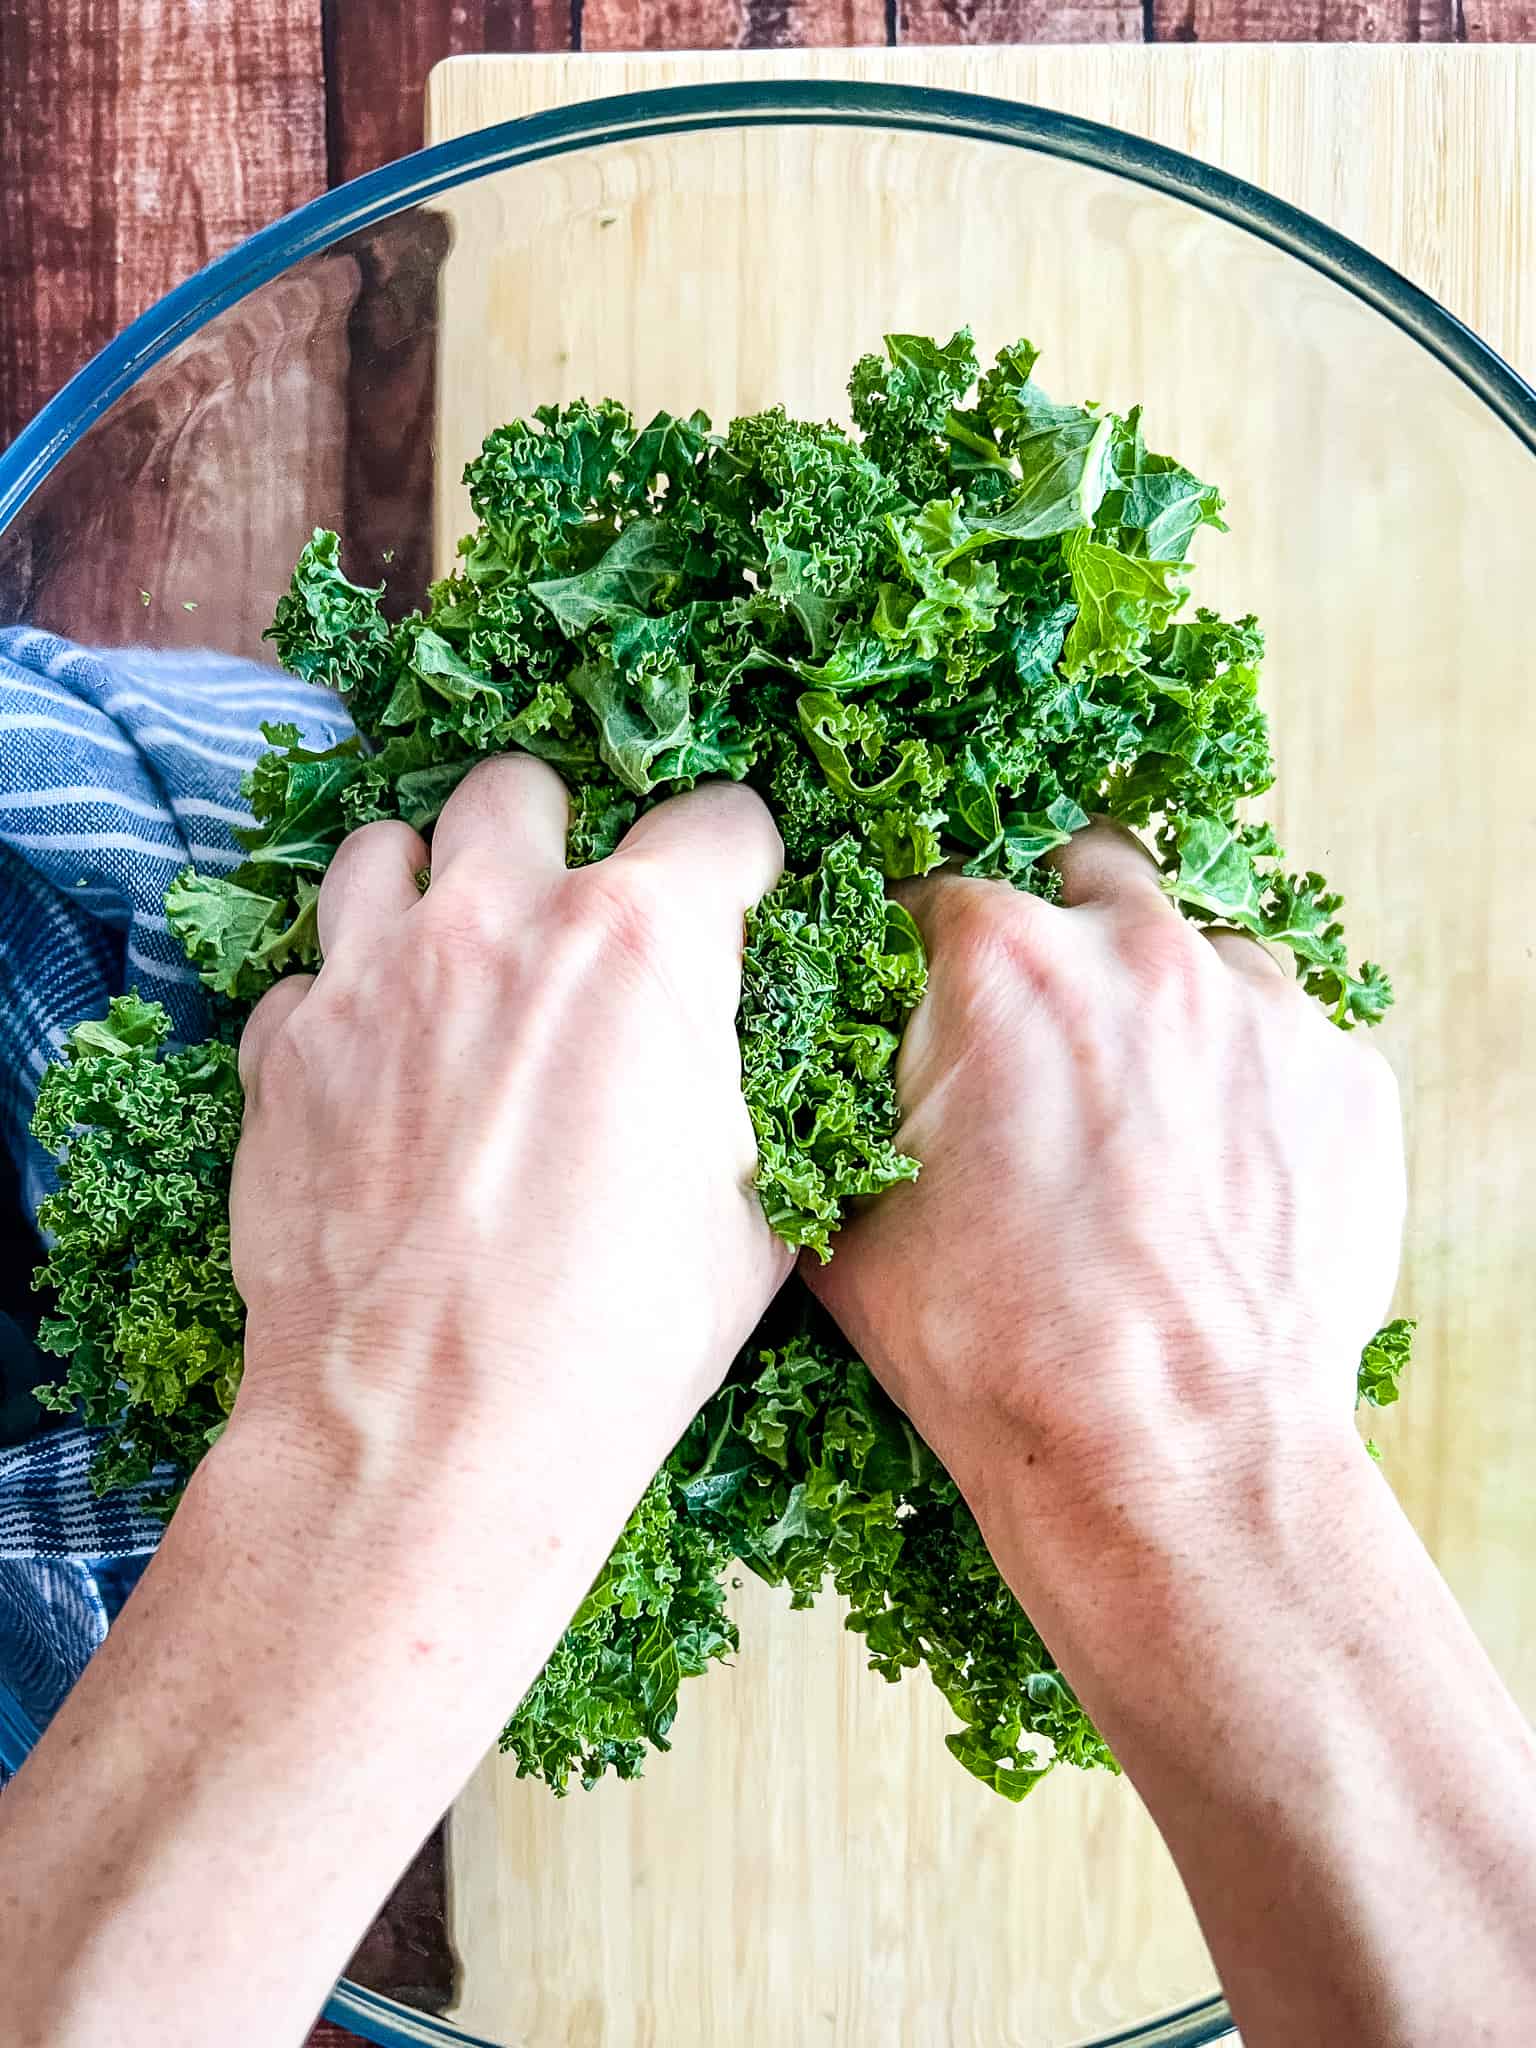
(116, 771)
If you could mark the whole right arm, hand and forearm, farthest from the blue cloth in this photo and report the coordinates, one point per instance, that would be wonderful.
(1156, 1224)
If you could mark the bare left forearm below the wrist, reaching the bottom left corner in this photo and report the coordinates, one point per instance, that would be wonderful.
(316, 1660)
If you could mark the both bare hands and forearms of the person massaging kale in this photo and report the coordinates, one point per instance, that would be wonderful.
(1156, 1222)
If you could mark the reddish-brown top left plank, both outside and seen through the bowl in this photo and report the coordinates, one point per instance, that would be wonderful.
(177, 136)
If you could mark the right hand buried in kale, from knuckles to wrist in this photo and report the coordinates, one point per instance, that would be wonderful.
(1160, 1195)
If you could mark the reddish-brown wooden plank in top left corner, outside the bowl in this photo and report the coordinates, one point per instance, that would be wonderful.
(136, 140)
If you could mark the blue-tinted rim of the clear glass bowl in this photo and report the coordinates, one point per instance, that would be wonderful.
(323, 222)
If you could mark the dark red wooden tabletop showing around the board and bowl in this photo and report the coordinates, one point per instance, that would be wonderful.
(138, 138)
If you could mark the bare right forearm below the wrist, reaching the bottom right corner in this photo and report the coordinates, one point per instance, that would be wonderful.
(1347, 1787)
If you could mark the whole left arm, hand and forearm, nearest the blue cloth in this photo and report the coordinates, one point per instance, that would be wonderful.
(476, 1328)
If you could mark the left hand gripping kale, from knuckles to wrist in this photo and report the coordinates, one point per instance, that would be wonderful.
(497, 1156)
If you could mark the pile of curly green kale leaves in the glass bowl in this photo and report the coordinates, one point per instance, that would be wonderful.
(947, 636)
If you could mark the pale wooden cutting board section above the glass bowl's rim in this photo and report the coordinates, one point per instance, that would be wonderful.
(1422, 155)
